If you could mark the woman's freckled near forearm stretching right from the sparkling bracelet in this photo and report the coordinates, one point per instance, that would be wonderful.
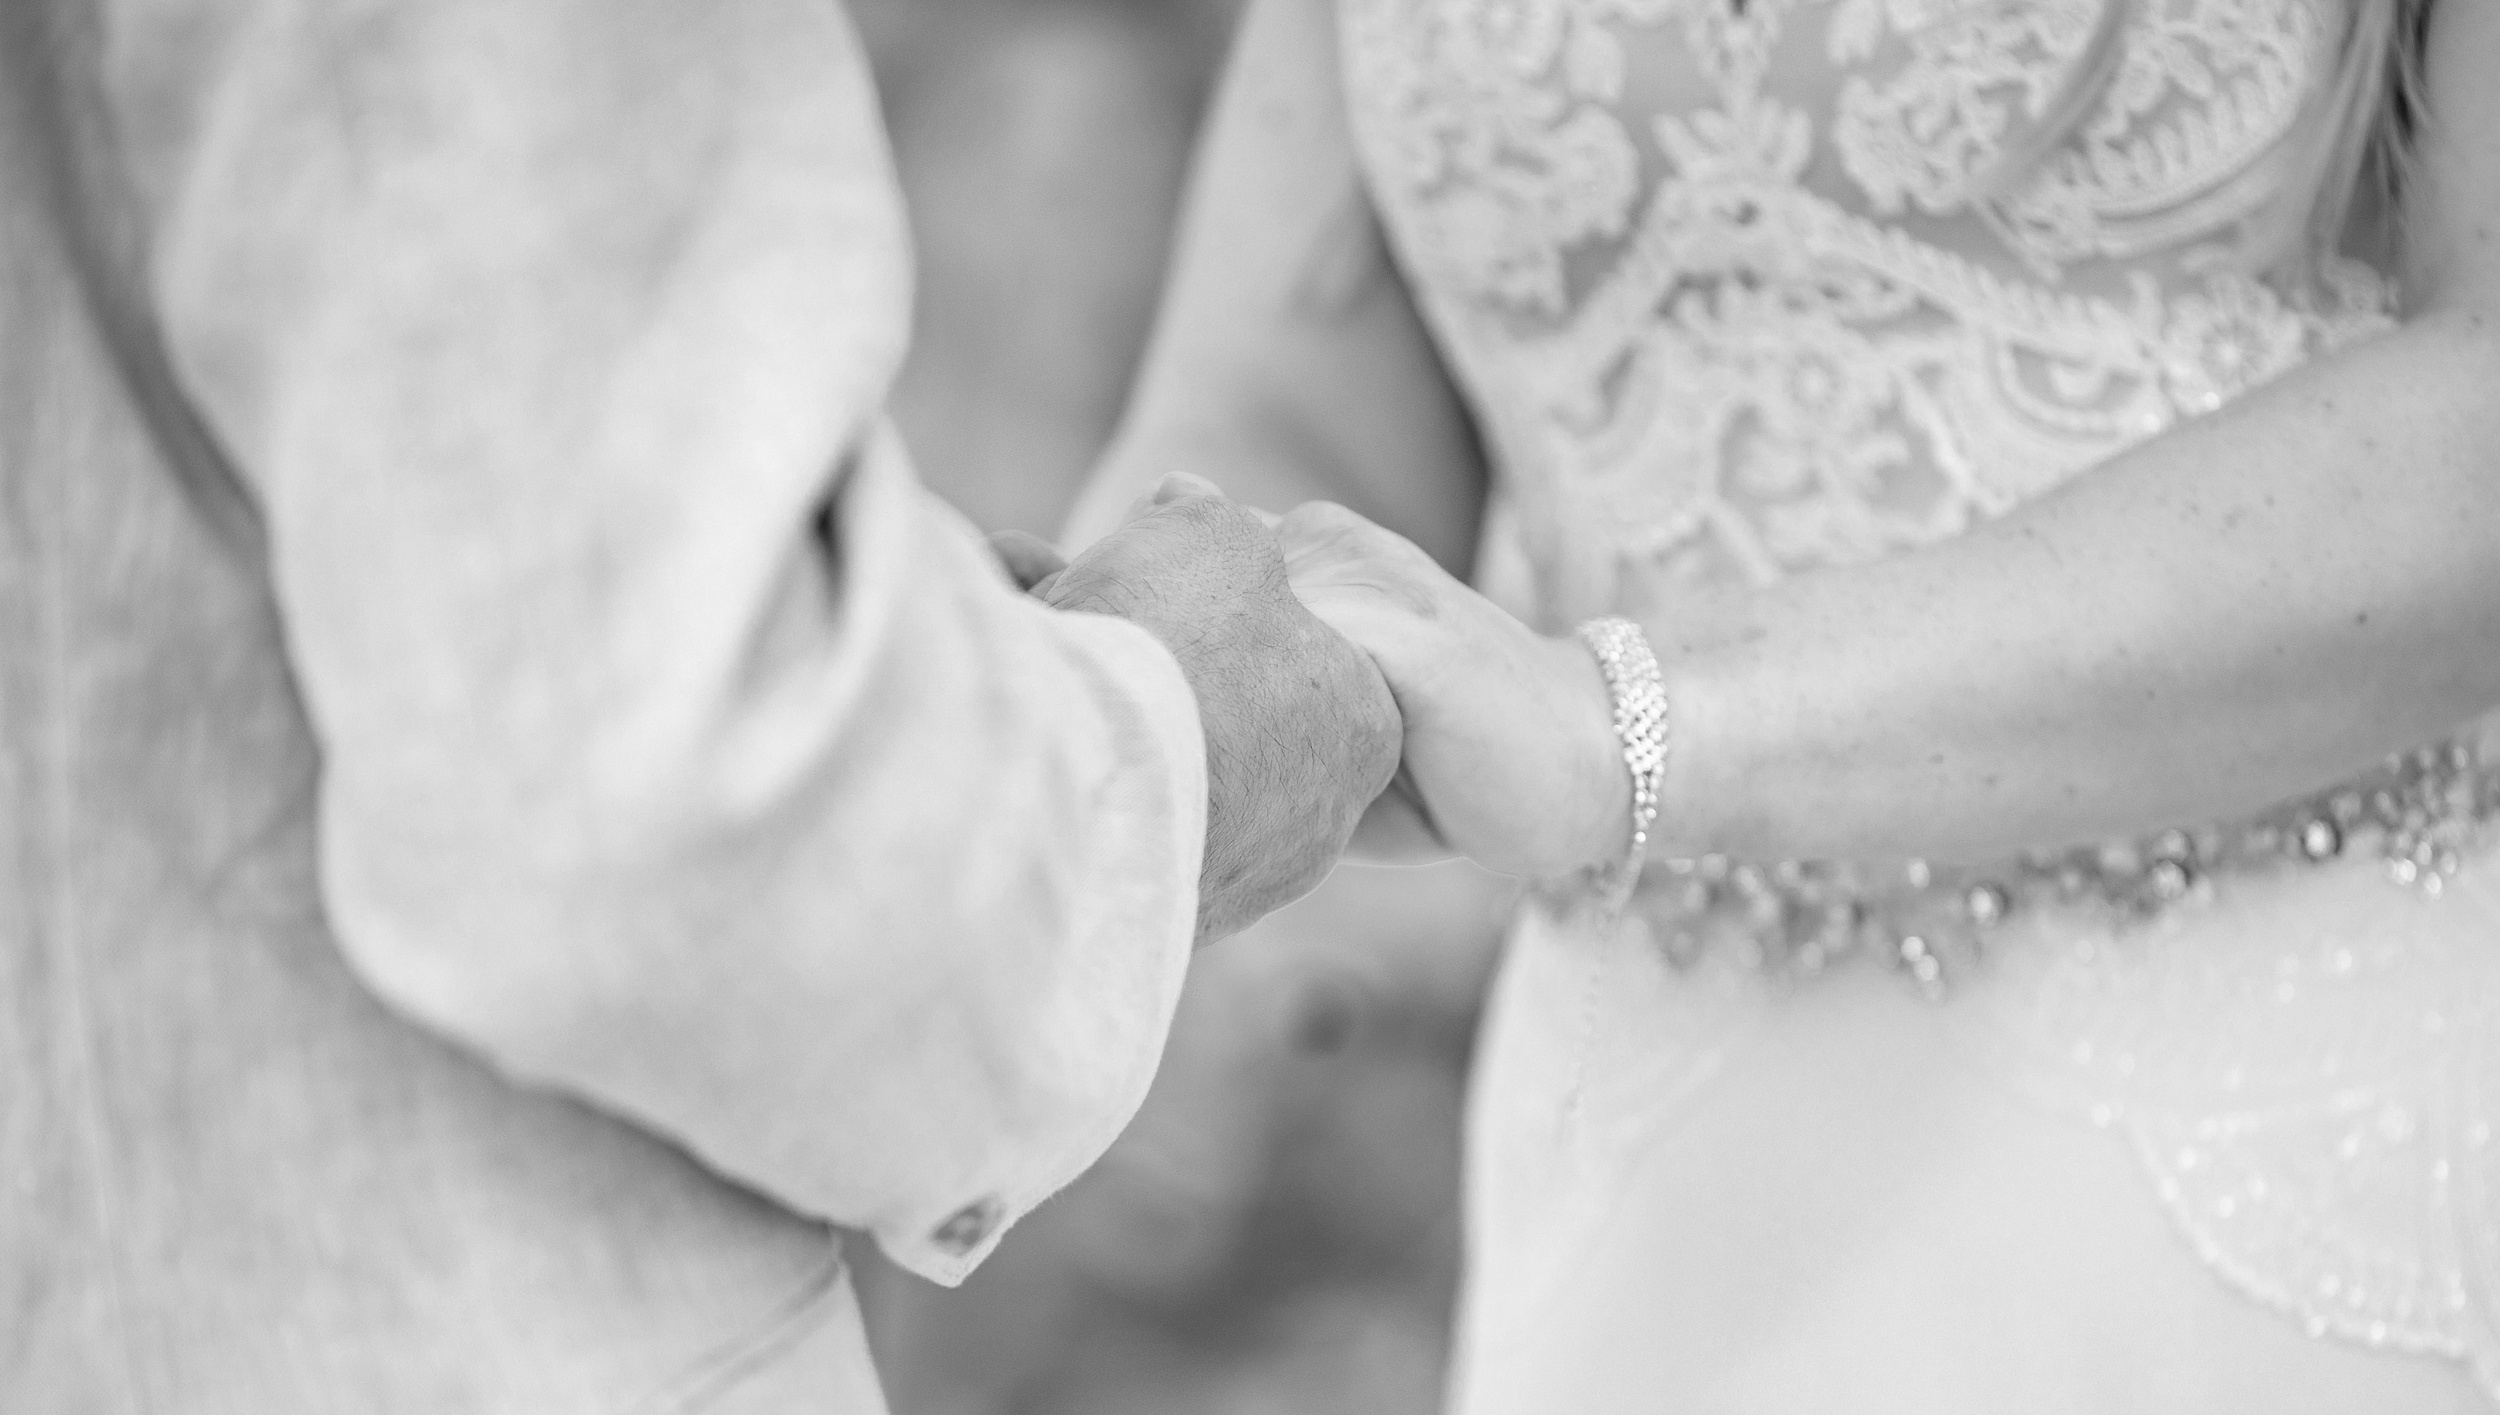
(2239, 611)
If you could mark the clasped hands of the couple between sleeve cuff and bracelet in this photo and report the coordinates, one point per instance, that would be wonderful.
(1306, 641)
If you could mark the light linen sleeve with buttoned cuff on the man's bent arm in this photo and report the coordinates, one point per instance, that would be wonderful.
(679, 749)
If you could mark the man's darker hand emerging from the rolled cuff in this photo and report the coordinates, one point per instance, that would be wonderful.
(1301, 729)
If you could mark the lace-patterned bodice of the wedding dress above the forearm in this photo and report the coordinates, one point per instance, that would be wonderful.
(1729, 304)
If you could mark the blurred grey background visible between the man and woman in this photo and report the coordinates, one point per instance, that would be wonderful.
(1279, 1231)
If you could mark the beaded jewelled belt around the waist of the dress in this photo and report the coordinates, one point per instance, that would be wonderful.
(2421, 814)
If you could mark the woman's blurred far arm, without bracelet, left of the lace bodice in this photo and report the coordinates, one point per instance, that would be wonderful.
(1289, 361)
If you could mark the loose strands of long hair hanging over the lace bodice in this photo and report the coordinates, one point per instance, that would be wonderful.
(2354, 129)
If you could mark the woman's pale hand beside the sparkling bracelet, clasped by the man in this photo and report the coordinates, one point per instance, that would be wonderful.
(1511, 754)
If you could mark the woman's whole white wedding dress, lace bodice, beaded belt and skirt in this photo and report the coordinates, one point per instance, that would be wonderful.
(2199, 1121)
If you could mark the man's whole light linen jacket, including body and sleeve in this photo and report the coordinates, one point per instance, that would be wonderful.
(519, 819)
